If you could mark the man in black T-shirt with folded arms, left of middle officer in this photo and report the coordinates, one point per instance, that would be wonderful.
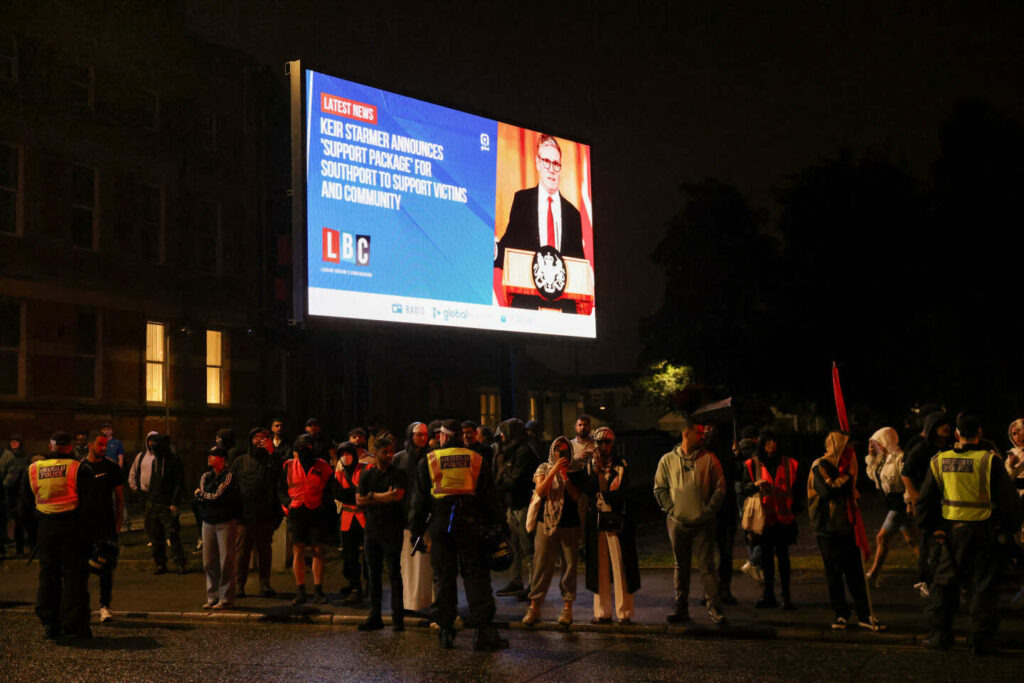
(380, 493)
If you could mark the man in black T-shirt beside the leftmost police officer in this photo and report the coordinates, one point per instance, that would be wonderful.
(104, 511)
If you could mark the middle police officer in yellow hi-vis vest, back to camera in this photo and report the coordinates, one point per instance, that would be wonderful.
(455, 489)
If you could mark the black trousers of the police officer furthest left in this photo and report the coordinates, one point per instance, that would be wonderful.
(63, 599)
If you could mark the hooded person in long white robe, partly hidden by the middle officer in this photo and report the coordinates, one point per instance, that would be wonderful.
(417, 577)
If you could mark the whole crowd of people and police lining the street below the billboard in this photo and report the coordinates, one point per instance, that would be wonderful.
(436, 506)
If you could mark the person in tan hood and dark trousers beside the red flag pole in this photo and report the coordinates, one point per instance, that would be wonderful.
(831, 492)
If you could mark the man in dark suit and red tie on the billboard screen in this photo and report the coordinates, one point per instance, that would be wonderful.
(541, 217)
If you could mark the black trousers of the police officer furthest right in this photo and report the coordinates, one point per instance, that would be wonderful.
(969, 560)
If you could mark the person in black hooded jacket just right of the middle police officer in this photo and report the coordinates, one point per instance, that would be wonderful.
(516, 485)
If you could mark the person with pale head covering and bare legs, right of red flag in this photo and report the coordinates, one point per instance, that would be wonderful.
(884, 464)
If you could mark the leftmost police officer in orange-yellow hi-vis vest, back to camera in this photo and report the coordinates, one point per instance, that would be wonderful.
(59, 485)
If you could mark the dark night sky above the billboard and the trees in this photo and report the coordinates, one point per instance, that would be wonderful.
(745, 93)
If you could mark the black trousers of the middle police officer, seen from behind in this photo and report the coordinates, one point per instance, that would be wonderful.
(458, 552)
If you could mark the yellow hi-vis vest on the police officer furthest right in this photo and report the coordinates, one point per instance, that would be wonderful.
(964, 482)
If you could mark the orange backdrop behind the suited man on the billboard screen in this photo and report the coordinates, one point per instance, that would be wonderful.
(518, 170)
